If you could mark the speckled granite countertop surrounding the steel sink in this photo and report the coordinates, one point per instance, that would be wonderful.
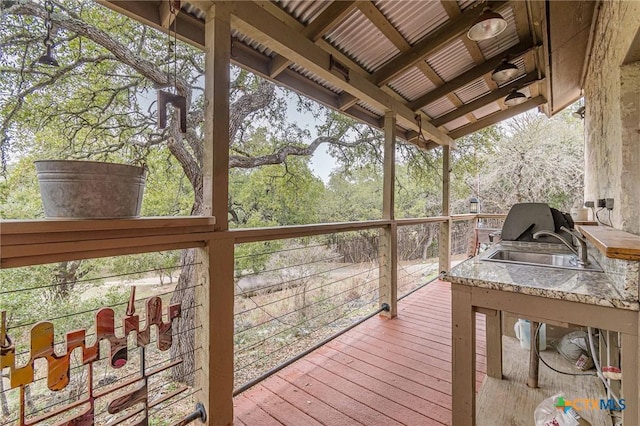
(594, 288)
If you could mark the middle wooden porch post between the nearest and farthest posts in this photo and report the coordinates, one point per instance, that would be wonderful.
(388, 292)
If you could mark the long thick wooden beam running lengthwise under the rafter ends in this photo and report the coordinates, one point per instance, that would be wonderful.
(250, 20)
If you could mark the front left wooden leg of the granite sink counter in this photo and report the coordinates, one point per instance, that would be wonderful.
(464, 356)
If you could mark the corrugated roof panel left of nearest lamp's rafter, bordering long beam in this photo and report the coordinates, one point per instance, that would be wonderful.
(359, 38)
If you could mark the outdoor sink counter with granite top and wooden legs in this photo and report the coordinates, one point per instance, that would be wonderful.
(543, 294)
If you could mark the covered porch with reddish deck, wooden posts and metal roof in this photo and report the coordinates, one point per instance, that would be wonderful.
(426, 83)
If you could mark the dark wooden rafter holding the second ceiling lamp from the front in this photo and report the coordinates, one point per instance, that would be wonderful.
(469, 76)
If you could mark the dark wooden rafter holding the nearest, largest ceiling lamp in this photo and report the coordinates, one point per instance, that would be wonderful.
(427, 45)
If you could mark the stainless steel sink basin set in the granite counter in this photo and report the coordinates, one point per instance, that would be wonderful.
(554, 260)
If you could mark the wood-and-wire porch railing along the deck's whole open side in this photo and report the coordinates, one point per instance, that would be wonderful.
(68, 297)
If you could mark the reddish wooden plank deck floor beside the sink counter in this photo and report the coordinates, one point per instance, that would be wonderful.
(382, 372)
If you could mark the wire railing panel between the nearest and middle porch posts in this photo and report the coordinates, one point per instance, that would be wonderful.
(291, 294)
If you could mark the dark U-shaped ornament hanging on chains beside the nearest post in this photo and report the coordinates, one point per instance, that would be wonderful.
(175, 99)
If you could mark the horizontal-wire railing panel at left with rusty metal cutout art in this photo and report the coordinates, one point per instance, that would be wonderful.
(67, 295)
